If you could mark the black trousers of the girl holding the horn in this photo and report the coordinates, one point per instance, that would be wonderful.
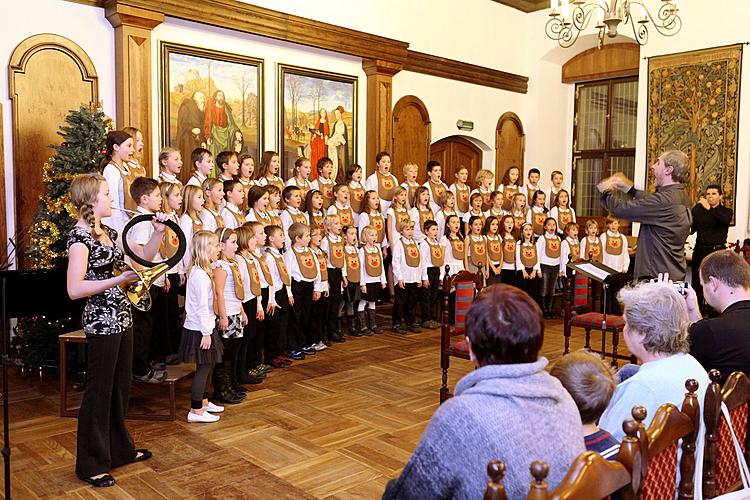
(103, 440)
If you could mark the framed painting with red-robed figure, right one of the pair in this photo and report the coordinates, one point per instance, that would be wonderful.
(317, 118)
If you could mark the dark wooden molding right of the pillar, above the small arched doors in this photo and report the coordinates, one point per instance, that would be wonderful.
(427, 64)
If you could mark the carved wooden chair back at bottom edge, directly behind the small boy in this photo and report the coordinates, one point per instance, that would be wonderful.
(592, 477)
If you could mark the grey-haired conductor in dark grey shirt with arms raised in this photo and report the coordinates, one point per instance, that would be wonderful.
(665, 216)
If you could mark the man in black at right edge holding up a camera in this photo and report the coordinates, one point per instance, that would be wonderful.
(723, 342)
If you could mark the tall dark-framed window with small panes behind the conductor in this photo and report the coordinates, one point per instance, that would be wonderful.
(604, 132)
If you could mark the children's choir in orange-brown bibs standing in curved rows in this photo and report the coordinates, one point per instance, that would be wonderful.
(277, 271)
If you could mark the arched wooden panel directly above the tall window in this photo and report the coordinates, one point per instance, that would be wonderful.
(611, 61)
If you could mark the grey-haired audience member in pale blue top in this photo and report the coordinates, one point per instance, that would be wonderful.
(656, 323)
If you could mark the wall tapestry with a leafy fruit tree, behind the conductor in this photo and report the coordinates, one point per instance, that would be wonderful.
(694, 106)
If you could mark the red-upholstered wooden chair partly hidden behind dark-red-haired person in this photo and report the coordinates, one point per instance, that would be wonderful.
(452, 336)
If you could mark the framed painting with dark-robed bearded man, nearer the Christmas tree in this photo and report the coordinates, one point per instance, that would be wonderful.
(210, 99)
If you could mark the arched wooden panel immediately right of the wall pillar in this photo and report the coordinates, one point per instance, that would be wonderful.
(411, 136)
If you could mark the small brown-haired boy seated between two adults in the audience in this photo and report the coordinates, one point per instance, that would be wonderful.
(590, 382)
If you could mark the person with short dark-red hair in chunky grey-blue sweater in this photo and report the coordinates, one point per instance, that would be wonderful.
(509, 409)
